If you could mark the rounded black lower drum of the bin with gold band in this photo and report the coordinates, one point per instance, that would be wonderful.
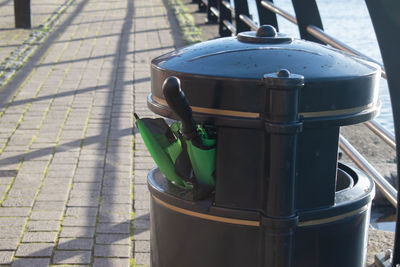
(199, 234)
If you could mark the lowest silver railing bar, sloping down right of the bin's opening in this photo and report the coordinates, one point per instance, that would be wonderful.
(384, 186)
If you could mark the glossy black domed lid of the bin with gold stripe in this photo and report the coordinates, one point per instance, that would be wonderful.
(223, 78)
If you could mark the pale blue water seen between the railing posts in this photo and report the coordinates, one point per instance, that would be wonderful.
(349, 22)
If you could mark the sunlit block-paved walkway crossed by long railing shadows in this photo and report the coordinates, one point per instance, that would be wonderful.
(72, 172)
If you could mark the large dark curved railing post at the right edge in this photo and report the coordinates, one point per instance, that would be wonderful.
(385, 18)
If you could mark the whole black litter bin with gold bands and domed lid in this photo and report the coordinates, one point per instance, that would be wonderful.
(281, 197)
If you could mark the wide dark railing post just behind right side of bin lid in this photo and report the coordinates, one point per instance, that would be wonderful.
(307, 13)
